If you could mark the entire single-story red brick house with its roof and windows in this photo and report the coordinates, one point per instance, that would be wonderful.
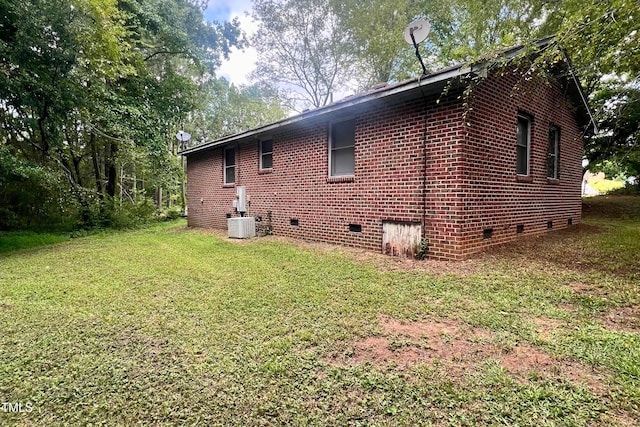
(465, 158)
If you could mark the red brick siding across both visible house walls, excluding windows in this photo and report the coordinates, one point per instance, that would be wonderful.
(469, 159)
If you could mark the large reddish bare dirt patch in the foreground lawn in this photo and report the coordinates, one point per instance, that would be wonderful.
(463, 348)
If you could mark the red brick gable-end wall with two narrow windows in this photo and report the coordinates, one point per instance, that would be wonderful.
(495, 197)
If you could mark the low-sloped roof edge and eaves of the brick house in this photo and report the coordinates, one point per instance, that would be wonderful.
(419, 86)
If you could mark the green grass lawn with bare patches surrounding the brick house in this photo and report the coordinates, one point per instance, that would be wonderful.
(180, 327)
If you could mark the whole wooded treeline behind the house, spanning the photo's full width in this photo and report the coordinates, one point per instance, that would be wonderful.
(92, 92)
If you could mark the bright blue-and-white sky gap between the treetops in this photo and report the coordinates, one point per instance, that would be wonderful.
(240, 63)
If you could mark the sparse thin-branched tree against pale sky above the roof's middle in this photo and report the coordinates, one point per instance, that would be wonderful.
(301, 50)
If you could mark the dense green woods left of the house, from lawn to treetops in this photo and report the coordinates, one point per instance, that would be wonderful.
(92, 93)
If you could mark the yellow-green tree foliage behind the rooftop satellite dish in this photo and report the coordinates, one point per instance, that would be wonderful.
(460, 31)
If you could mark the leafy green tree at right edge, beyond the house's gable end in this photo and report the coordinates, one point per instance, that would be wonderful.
(602, 38)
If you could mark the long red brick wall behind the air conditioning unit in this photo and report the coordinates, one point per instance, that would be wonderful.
(389, 166)
